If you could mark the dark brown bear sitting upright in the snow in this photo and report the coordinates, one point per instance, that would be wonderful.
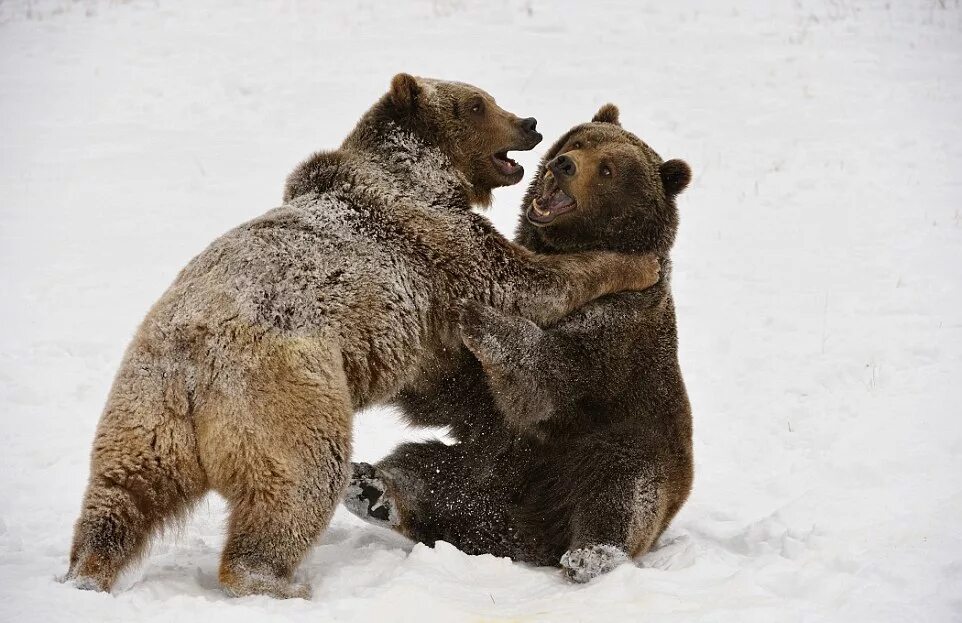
(574, 440)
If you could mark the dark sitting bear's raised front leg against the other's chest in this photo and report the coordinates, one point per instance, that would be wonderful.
(512, 352)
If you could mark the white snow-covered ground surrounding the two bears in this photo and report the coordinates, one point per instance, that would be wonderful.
(818, 275)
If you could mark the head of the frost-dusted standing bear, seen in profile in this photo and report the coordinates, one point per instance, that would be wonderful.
(467, 125)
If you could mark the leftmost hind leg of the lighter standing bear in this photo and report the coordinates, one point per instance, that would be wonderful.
(145, 471)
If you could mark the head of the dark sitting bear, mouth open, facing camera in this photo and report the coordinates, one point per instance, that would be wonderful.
(600, 186)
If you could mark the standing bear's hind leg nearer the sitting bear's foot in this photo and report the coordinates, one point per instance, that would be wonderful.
(280, 453)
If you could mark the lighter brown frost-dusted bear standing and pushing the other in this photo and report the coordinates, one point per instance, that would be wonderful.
(244, 376)
